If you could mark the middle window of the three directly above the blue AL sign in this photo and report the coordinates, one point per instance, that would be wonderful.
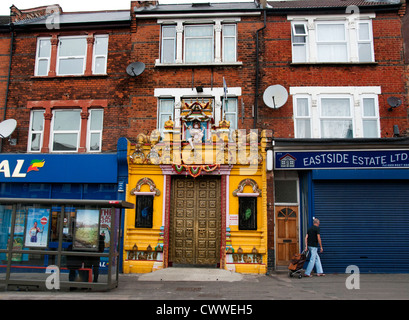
(66, 130)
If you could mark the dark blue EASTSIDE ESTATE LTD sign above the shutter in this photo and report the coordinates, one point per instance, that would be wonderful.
(355, 159)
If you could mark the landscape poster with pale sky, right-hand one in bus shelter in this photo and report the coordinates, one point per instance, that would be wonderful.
(86, 233)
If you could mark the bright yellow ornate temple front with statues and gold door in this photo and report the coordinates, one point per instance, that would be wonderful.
(200, 197)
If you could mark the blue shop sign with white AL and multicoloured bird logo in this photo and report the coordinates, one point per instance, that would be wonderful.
(57, 168)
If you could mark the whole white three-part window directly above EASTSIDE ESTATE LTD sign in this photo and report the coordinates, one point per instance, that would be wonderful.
(336, 112)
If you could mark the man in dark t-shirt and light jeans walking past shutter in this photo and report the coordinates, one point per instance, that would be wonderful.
(312, 241)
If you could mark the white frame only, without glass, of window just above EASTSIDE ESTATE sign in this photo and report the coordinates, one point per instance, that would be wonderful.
(356, 95)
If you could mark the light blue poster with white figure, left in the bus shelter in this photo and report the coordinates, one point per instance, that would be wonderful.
(37, 227)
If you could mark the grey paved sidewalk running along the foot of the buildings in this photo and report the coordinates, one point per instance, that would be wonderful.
(214, 284)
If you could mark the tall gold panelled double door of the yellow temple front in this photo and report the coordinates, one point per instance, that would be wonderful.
(195, 221)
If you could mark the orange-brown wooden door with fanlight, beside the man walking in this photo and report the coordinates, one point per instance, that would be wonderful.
(286, 233)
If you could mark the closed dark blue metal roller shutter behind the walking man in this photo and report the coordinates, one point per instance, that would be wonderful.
(363, 223)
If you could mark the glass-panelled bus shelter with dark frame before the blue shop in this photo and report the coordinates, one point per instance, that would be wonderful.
(49, 244)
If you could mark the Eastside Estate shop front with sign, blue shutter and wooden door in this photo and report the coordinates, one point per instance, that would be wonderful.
(357, 189)
